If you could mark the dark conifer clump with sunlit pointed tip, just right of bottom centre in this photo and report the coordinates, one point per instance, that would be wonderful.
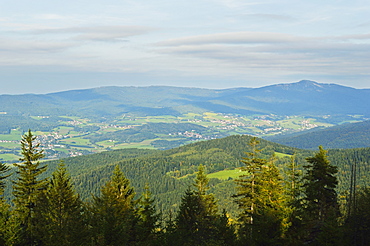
(198, 221)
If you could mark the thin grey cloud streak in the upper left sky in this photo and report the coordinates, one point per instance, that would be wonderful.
(98, 33)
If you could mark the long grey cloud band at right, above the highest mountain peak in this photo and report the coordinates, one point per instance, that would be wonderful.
(246, 51)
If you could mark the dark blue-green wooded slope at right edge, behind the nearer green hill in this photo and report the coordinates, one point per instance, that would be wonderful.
(354, 135)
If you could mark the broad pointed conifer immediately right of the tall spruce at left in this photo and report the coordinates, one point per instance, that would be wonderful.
(60, 216)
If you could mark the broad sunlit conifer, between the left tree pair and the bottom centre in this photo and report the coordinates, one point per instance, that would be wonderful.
(113, 214)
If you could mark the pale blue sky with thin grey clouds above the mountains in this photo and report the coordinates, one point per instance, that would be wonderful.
(48, 46)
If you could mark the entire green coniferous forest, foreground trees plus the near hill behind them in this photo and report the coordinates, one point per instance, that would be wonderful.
(297, 198)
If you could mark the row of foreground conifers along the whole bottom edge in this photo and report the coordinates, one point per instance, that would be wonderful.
(303, 208)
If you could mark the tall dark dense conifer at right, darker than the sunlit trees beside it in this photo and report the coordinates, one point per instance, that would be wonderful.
(321, 209)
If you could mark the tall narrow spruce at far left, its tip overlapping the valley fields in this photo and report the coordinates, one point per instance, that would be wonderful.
(27, 187)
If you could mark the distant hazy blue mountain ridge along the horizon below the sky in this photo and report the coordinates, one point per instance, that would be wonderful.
(304, 97)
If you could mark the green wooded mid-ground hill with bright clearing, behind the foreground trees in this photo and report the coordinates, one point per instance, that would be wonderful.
(169, 172)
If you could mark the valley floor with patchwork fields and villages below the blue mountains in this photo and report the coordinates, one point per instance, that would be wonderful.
(73, 136)
